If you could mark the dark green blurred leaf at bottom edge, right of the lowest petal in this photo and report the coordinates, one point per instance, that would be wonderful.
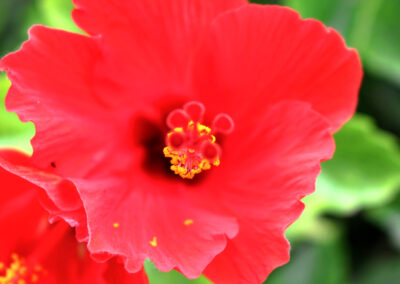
(314, 264)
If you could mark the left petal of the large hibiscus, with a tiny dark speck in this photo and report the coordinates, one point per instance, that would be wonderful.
(52, 86)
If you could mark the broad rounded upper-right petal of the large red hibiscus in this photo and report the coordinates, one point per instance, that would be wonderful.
(259, 54)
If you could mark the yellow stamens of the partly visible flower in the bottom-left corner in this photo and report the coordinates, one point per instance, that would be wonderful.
(18, 272)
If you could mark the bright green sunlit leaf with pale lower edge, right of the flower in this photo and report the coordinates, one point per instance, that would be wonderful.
(363, 173)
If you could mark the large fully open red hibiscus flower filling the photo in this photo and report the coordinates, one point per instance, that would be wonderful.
(190, 129)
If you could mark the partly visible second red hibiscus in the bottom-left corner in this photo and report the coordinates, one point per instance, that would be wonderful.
(33, 251)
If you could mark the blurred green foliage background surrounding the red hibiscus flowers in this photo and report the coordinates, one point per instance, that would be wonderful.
(350, 229)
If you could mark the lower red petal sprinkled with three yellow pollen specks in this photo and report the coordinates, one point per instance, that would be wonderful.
(150, 219)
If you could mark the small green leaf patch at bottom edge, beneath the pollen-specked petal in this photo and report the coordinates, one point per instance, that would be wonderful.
(156, 276)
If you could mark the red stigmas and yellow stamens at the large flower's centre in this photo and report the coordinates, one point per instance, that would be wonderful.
(191, 145)
